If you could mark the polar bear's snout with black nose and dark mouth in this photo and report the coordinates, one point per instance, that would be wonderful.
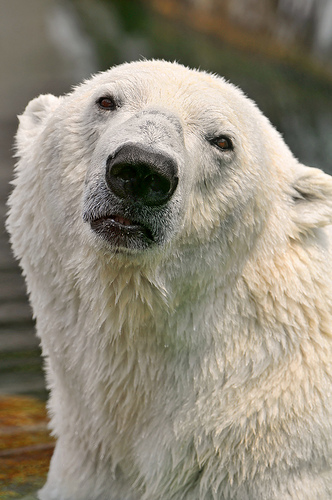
(133, 201)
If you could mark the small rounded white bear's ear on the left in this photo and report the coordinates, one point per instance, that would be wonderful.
(33, 119)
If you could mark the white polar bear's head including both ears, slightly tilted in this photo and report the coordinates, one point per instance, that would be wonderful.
(151, 158)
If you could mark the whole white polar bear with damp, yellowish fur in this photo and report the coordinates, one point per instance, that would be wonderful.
(178, 262)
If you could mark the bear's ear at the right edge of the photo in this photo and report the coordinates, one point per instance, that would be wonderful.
(312, 196)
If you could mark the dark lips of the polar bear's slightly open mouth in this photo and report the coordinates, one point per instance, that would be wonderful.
(121, 231)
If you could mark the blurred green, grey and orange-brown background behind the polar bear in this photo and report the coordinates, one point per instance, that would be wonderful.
(278, 51)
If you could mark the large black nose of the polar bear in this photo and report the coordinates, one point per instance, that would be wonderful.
(136, 173)
